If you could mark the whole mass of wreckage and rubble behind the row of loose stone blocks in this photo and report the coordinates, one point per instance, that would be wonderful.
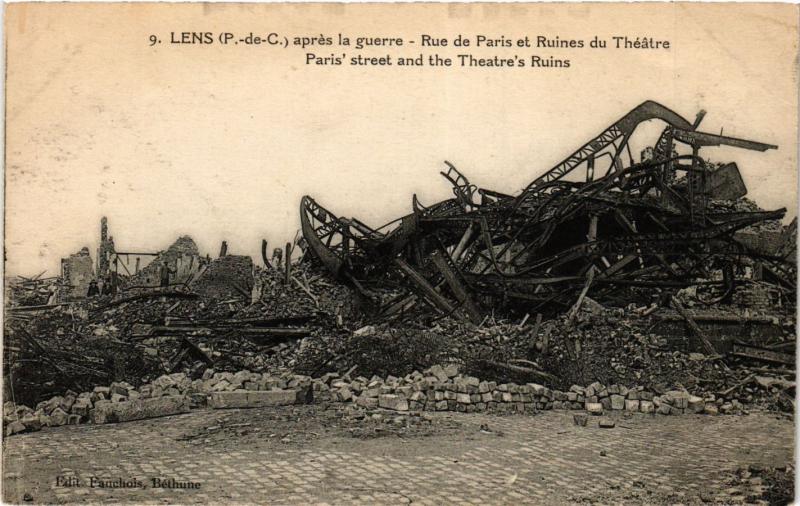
(670, 236)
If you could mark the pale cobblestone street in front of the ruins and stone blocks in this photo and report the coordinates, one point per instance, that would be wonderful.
(252, 456)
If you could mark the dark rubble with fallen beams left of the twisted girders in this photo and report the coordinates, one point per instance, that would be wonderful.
(136, 336)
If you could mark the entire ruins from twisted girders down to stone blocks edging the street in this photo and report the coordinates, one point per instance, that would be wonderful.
(625, 281)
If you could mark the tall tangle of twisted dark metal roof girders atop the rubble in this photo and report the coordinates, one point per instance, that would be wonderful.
(598, 220)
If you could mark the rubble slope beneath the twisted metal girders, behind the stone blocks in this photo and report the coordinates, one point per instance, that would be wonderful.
(610, 346)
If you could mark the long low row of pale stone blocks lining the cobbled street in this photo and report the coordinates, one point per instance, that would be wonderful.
(436, 389)
